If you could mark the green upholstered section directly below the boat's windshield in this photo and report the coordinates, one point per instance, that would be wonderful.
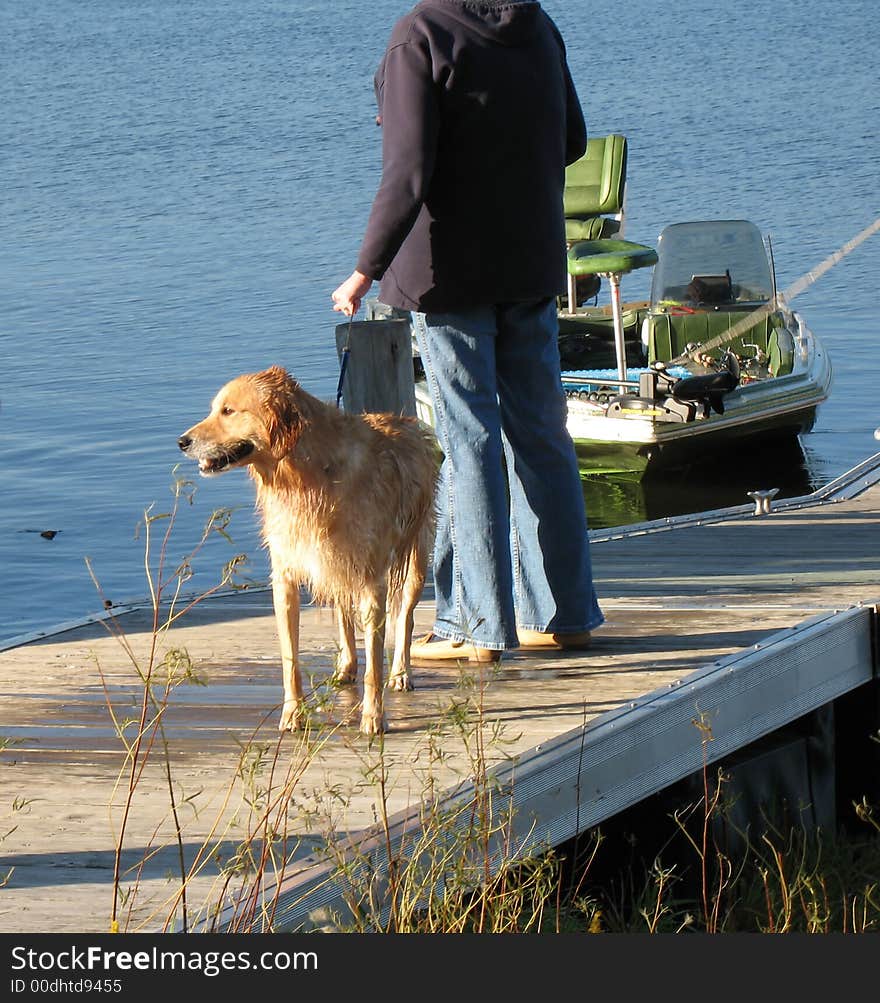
(670, 333)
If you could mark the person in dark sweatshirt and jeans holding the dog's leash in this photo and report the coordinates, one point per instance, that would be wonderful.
(480, 118)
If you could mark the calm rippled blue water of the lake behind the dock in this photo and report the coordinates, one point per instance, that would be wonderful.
(184, 186)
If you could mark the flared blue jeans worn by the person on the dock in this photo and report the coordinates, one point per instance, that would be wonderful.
(512, 546)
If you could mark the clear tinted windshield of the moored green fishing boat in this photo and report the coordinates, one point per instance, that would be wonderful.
(713, 263)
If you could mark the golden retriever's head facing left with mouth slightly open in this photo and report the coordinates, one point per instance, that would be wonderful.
(253, 421)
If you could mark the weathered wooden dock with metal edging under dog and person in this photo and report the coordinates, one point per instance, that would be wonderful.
(750, 620)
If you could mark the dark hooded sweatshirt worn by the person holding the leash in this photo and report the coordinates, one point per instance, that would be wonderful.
(480, 118)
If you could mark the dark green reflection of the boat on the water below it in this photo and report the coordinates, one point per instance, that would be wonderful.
(622, 498)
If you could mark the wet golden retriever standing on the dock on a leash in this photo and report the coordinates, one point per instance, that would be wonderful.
(347, 505)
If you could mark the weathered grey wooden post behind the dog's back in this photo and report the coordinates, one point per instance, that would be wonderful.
(379, 375)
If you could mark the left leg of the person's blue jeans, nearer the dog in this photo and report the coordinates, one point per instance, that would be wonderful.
(472, 562)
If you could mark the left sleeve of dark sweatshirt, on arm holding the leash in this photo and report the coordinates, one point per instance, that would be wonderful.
(409, 107)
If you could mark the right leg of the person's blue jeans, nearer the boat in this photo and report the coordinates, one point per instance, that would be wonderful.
(549, 535)
